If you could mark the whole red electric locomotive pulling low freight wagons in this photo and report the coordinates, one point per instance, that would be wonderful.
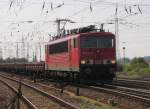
(90, 55)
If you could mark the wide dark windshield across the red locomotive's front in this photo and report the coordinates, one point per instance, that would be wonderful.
(96, 42)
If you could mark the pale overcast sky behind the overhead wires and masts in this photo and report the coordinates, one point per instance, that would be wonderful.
(31, 22)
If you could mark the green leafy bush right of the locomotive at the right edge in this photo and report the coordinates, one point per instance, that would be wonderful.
(137, 66)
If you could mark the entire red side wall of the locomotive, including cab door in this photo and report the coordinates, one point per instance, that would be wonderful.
(62, 55)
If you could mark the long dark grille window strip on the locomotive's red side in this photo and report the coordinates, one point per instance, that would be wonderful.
(58, 48)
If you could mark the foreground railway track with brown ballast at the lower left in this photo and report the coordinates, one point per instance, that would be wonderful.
(40, 99)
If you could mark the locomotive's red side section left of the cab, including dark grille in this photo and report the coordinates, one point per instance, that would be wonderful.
(58, 56)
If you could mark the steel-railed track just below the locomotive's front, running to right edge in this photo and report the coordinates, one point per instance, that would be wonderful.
(136, 94)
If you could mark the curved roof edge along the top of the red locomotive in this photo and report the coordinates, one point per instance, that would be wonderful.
(71, 36)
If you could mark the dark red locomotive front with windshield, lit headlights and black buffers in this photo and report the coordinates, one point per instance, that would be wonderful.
(98, 56)
